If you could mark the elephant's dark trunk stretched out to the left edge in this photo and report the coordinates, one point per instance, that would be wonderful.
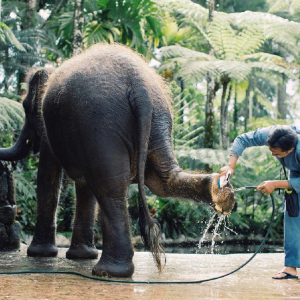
(20, 150)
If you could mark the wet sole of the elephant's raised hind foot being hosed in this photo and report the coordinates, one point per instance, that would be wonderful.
(223, 198)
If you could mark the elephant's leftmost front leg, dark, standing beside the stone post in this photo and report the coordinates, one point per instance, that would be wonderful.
(48, 188)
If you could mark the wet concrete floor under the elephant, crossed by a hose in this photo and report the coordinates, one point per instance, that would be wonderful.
(251, 282)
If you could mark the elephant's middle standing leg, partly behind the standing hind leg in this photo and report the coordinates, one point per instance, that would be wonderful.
(82, 244)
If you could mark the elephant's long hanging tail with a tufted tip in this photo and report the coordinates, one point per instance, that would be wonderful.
(141, 104)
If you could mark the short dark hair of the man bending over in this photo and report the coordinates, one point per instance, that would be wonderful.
(283, 137)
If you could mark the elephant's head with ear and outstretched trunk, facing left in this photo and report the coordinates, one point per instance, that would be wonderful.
(29, 139)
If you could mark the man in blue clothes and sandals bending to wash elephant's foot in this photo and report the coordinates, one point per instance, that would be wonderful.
(284, 143)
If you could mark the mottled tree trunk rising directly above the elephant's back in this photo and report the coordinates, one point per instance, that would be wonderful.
(78, 27)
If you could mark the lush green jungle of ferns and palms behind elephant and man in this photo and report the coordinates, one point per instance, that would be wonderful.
(232, 66)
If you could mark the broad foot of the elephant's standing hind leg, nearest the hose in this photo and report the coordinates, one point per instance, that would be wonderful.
(113, 270)
